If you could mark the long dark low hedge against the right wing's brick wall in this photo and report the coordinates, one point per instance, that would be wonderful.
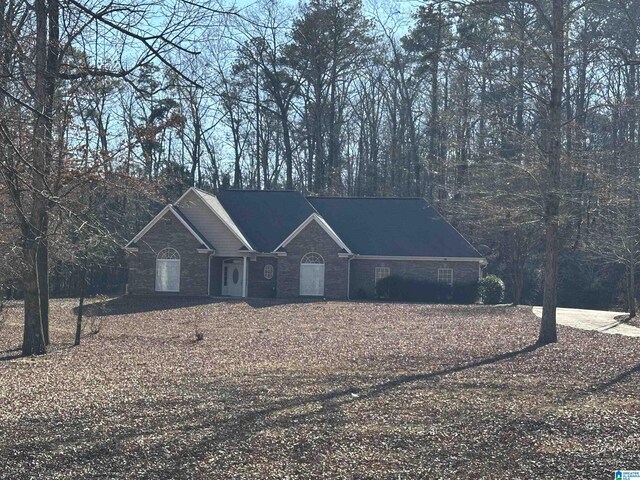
(399, 288)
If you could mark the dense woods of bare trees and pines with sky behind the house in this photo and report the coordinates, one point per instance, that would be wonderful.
(506, 117)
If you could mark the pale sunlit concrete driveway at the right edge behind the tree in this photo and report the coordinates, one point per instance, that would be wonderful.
(597, 320)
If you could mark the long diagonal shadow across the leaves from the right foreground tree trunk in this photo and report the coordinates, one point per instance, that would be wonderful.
(206, 430)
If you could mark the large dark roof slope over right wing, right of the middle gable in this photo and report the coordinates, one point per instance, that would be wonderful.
(403, 227)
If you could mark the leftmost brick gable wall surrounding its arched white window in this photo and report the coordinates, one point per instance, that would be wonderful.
(168, 232)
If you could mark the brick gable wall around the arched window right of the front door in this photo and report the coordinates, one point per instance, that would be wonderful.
(312, 239)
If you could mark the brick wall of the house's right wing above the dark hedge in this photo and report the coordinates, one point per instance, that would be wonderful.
(362, 277)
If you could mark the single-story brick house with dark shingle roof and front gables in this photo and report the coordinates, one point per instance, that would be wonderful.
(244, 243)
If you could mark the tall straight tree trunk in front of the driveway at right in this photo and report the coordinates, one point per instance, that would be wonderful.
(548, 331)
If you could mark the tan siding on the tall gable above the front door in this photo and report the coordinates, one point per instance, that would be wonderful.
(222, 239)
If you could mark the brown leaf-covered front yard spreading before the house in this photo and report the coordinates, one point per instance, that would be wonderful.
(316, 390)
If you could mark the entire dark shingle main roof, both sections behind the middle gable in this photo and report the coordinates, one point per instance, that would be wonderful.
(368, 226)
